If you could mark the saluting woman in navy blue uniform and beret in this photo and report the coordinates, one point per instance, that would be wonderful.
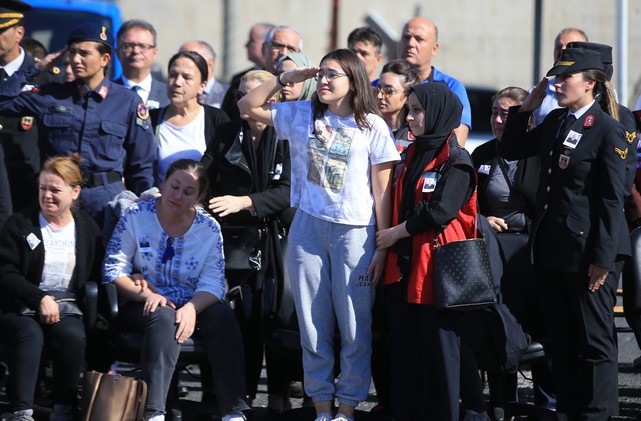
(102, 121)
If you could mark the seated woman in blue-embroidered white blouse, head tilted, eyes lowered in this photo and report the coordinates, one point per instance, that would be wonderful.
(175, 246)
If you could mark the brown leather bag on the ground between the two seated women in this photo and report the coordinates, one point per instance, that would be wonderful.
(107, 397)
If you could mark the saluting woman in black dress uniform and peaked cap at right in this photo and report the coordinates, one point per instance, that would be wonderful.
(579, 237)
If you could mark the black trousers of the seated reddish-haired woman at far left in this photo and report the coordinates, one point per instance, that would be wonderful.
(26, 337)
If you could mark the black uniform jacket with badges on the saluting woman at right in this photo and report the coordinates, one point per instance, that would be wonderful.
(579, 214)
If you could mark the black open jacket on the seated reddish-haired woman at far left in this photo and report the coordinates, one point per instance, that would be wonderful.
(21, 267)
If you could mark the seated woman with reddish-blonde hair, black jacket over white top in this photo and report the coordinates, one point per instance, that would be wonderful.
(47, 254)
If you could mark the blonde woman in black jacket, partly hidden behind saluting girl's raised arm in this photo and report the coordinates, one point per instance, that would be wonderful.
(250, 180)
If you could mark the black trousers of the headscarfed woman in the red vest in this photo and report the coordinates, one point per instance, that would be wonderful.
(425, 349)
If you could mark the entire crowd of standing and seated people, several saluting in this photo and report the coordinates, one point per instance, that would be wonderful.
(332, 177)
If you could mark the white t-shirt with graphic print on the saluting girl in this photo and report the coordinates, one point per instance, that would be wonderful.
(331, 159)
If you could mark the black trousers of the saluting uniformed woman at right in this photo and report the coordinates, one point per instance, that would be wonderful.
(583, 342)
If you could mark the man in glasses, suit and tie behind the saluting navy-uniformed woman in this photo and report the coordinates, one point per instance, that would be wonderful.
(137, 51)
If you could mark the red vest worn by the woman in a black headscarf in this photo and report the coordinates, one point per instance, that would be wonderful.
(420, 288)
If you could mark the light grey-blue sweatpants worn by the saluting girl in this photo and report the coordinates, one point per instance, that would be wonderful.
(328, 264)
